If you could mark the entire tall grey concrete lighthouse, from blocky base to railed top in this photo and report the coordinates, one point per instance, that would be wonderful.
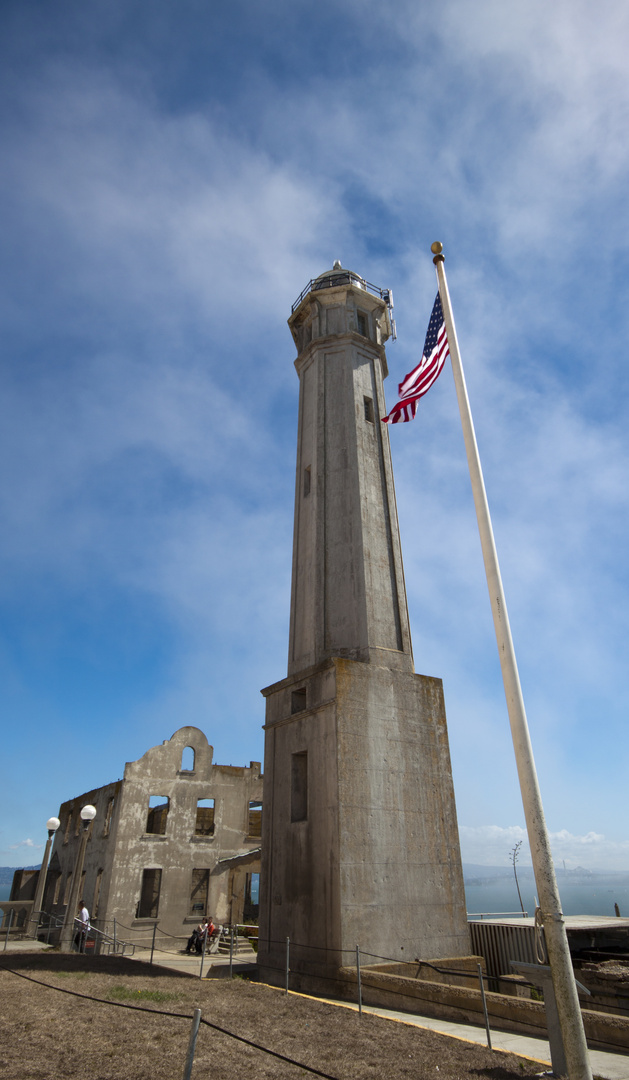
(360, 842)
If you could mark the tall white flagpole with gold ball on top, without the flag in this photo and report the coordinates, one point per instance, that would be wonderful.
(564, 981)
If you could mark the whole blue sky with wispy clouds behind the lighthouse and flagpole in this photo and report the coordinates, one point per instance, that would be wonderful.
(172, 177)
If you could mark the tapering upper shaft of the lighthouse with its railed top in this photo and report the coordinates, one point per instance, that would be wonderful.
(349, 597)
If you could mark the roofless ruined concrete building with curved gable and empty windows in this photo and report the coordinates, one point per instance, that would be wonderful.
(177, 839)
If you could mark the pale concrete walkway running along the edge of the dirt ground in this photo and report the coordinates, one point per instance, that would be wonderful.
(609, 1066)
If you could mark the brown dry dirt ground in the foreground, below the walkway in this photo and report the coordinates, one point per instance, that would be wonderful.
(47, 1035)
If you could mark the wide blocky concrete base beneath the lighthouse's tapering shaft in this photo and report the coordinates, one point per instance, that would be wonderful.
(360, 841)
